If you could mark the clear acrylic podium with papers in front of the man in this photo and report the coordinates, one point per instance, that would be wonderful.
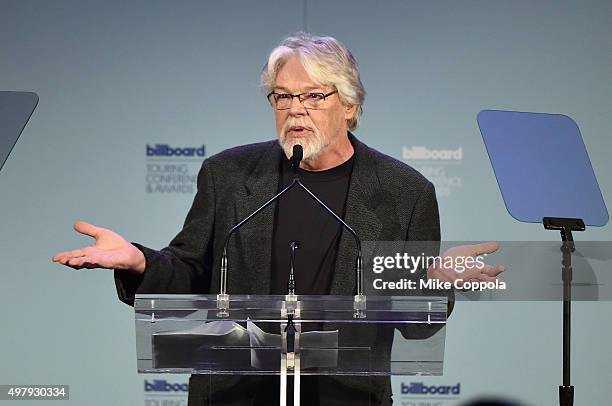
(290, 336)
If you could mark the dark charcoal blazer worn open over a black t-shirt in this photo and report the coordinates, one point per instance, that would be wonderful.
(387, 201)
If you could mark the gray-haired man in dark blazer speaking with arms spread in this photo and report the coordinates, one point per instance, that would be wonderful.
(314, 88)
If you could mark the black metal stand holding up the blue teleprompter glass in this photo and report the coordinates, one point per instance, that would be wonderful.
(566, 226)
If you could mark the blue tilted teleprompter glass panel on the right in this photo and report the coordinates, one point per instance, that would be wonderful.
(542, 166)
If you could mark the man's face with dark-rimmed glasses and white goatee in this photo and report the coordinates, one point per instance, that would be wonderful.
(318, 131)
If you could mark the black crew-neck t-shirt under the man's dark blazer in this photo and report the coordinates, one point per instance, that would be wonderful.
(300, 218)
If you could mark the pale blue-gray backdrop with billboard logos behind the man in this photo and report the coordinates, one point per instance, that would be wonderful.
(115, 76)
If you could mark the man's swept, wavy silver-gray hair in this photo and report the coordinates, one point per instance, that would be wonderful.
(327, 61)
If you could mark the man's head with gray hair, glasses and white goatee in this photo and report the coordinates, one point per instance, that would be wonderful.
(326, 74)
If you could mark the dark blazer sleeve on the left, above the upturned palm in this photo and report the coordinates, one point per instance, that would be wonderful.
(184, 266)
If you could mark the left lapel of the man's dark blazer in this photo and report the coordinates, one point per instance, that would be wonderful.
(254, 239)
